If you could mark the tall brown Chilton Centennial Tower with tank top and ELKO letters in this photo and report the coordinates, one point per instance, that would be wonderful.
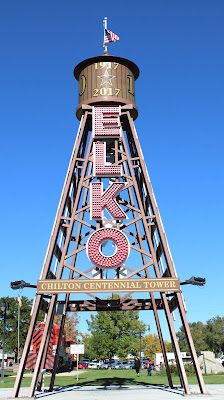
(108, 236)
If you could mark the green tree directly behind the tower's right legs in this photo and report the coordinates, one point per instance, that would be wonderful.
(199, 335)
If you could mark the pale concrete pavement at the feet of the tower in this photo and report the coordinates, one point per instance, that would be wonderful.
(153, 392)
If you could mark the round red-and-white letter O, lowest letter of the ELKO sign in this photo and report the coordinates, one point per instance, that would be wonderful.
(94, 248)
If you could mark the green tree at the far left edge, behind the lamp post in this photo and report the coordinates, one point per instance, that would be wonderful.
(12, 322)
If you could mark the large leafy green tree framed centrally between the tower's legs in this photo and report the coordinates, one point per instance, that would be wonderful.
(114, 333)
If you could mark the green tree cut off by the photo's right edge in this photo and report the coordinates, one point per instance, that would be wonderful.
(215, 334)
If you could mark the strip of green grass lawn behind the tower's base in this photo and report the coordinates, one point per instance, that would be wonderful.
(114, 377)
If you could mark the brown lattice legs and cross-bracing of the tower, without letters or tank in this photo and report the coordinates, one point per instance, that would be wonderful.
(73, 225)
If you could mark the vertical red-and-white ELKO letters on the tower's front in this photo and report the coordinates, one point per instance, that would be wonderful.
(106, 124)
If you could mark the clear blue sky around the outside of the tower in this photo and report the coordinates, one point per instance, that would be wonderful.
(178, 46)
